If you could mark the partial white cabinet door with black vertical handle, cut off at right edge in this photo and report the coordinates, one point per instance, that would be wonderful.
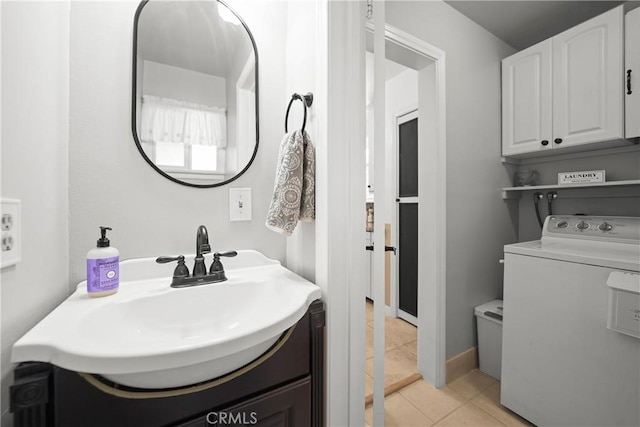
(632, 73)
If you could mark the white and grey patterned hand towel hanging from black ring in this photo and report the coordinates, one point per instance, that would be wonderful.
(294, 190)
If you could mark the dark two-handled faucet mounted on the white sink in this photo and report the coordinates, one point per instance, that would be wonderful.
(181, 278)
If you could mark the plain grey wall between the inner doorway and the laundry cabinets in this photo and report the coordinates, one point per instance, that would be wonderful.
(478, 221)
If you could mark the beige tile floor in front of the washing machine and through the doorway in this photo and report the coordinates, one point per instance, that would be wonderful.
(472, 400)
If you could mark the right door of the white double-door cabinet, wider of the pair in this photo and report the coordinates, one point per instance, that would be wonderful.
(587, 81)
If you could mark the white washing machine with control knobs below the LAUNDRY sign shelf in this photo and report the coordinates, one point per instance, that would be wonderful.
(571, 327)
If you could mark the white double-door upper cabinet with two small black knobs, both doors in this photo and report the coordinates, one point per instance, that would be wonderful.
(565, 91)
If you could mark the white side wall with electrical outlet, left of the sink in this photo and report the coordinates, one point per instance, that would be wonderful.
(35, 116)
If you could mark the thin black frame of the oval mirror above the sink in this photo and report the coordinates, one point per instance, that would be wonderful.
(134, 102)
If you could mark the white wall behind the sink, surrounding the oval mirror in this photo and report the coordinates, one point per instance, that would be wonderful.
(110, 184)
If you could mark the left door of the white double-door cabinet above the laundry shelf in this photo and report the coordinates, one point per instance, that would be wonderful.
(526, 100)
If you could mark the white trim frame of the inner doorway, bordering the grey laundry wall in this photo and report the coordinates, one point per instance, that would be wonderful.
(431, 216)
